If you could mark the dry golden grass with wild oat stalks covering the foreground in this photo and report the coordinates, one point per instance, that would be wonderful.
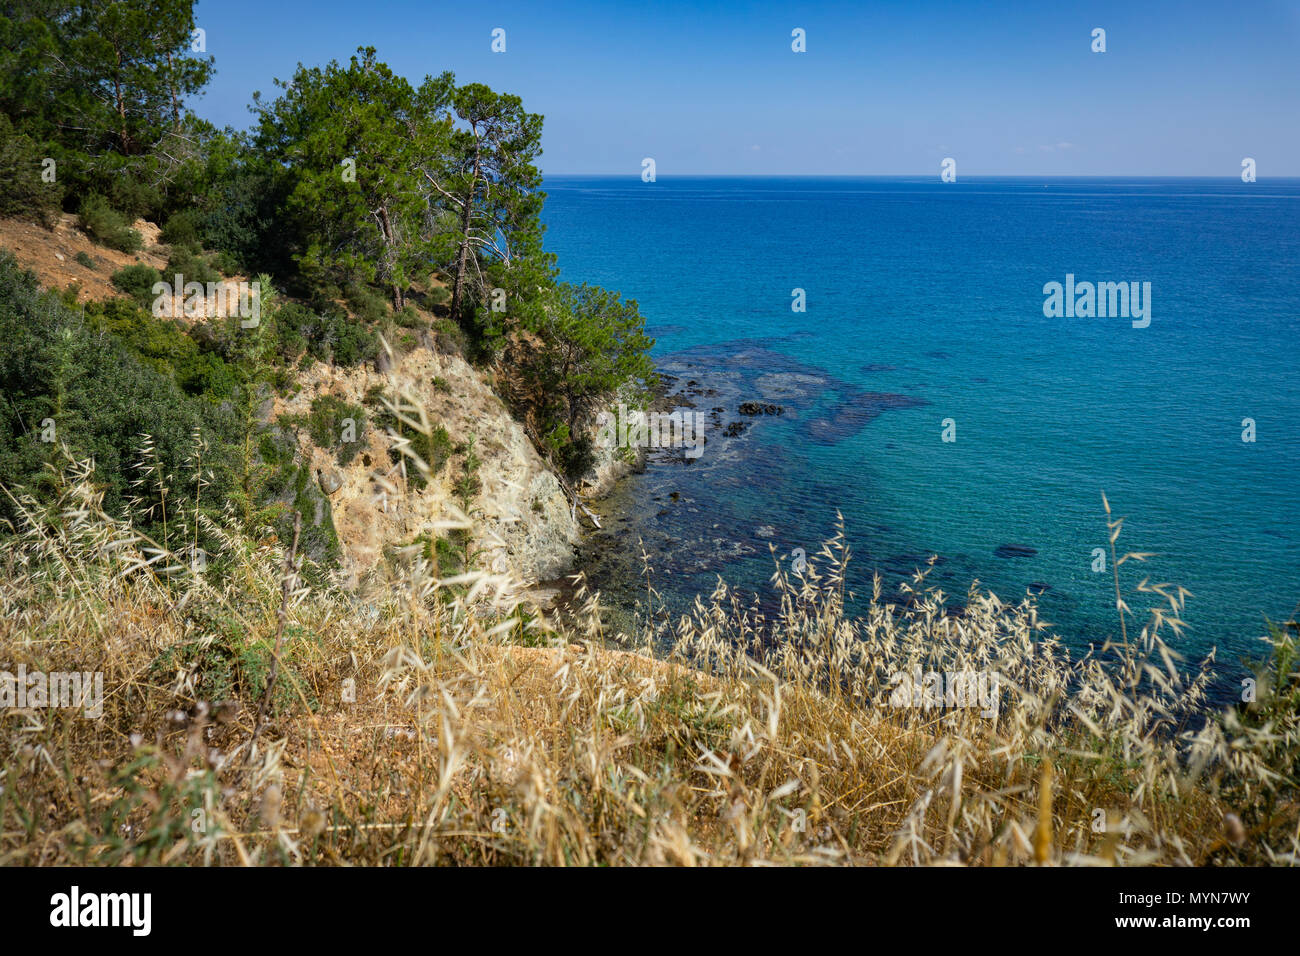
(434, 721)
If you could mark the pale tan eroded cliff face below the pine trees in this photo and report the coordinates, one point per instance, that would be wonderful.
(523, 522)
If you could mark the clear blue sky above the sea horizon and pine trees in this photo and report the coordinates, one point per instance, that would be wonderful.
(883, 89)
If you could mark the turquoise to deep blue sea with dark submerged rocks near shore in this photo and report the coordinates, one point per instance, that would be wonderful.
(925, 302)
